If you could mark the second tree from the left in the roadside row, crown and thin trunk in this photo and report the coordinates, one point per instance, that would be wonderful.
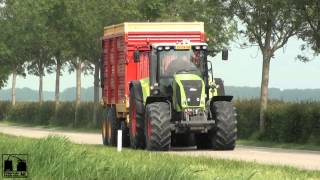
(36, 38)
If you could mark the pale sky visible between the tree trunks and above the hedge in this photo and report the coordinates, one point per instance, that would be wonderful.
(243, 68)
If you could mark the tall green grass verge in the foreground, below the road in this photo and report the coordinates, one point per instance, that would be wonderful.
(57, 158)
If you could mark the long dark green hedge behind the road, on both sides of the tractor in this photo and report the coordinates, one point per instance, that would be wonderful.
(285, 122)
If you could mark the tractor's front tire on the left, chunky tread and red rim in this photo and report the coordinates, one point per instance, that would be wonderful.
(157, 126)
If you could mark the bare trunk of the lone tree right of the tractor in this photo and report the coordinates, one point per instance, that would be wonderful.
(264, 90)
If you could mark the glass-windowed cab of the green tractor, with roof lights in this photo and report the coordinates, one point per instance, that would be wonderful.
(169, 61)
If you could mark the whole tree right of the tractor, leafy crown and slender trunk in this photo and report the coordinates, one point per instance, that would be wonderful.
(269, 25)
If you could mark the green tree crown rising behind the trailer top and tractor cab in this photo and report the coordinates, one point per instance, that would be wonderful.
(208, 11)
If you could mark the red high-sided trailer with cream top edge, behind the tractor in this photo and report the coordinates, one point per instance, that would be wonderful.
(119, 43)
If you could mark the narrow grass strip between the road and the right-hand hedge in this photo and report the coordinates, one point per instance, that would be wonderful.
(313, 147)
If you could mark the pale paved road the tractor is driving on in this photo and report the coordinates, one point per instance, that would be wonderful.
(302, 159)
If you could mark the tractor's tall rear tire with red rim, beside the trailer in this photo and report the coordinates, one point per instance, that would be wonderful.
(136, 116)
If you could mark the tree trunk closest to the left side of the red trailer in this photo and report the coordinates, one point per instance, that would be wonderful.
(96, 92)
